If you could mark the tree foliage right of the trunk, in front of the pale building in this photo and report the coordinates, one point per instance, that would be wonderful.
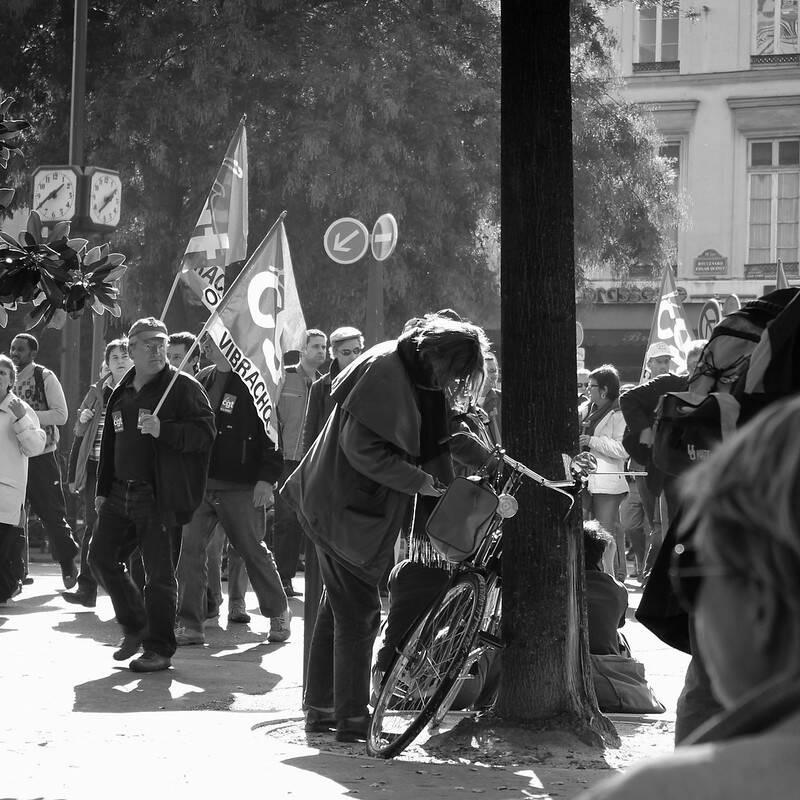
(625, 205)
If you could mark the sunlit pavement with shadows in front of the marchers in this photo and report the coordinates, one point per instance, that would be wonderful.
(77, 724)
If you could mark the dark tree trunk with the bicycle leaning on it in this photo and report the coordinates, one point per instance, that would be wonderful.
(546, 675)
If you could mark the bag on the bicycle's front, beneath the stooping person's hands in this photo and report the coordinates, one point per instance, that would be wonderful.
(461, 518)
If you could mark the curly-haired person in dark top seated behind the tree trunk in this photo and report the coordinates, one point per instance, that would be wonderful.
(606, 597)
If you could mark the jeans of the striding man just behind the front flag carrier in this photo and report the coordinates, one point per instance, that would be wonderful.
(244, 525)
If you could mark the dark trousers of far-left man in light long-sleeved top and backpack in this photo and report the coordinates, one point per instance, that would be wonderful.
(46, 497)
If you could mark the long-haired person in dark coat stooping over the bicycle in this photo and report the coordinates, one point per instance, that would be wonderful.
(384, 443)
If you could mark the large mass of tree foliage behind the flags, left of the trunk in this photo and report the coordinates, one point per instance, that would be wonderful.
(354, 109)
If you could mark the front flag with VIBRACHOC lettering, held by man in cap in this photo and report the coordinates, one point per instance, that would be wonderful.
(260, 318)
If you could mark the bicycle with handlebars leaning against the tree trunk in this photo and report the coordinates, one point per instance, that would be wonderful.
(437, 655)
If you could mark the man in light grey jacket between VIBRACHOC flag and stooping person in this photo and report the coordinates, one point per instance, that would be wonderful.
(290, 414)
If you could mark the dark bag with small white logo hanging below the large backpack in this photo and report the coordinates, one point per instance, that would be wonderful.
(689, 426)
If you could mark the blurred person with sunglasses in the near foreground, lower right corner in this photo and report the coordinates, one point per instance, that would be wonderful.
(737, 570)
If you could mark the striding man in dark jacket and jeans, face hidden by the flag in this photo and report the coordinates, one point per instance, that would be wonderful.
(245, 465)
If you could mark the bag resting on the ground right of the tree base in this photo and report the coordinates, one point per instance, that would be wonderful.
(621, 686)
